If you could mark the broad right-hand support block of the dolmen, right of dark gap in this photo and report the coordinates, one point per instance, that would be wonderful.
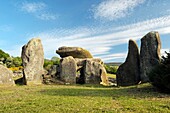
(95, 72)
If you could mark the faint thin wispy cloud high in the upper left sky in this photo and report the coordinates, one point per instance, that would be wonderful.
(38, 10)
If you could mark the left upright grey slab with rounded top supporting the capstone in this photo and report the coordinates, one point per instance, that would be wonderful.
(68, 70)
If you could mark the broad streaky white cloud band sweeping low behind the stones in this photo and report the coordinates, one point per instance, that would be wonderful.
(101, 46)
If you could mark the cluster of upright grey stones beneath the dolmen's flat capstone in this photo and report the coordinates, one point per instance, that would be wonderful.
(88, 70)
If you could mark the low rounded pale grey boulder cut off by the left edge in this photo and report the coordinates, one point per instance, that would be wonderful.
(6, 76)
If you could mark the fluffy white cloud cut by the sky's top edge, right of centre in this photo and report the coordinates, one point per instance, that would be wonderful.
(115, 9)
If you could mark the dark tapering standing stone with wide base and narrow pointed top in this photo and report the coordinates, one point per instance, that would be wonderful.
(128, 73)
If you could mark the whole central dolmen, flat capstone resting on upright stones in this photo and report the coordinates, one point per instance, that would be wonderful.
(78, 66)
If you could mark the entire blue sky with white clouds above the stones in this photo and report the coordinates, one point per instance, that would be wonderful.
(101, 26)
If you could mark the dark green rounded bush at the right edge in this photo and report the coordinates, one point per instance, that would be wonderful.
(160, 75)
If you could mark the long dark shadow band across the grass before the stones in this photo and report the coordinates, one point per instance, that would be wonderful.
(97, 91)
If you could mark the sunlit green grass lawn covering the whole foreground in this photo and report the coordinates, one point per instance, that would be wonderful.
(83, 99)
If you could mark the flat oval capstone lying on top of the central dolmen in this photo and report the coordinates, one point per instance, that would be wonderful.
(75, 52)
